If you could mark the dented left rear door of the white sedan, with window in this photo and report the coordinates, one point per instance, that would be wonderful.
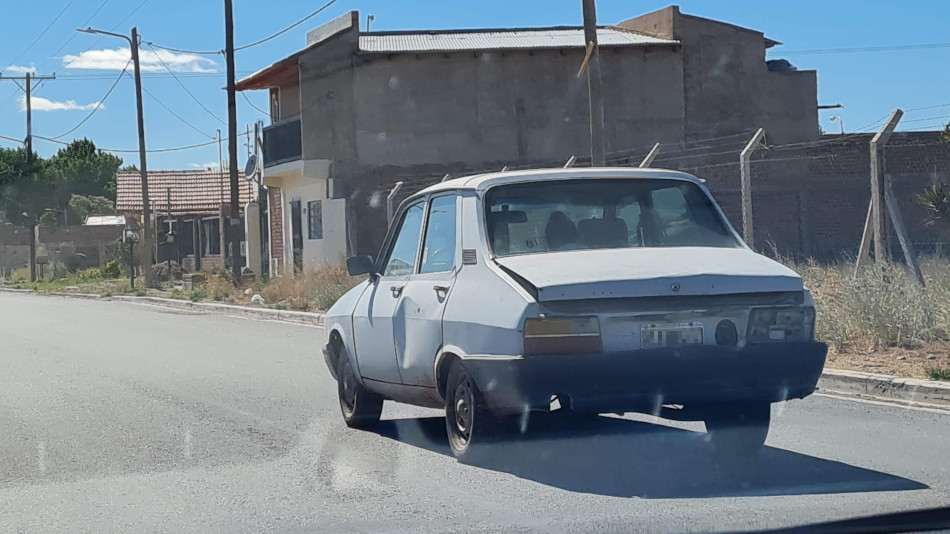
(418, 319)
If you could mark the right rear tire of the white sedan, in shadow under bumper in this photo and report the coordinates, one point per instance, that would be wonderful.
(738, 431)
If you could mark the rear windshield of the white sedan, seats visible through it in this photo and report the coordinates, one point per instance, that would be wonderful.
(602, 213)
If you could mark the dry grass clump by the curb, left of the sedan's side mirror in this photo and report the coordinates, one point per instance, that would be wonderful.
(311, 291)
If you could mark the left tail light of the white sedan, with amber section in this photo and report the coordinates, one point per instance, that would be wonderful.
(562, 335)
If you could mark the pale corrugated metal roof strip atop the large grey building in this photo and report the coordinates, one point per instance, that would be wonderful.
(435, 41)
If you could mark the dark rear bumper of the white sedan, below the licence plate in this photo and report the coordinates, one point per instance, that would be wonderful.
(644, 380)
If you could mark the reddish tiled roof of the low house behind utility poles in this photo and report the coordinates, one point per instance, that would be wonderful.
(191, 191)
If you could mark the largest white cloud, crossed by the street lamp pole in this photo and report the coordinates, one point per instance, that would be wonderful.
(116, 59)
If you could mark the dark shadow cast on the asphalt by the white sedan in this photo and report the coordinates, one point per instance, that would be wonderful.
(623, 458)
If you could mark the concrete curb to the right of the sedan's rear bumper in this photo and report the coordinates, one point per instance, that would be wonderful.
(910, 390)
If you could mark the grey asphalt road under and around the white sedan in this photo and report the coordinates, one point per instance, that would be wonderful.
(122, 417)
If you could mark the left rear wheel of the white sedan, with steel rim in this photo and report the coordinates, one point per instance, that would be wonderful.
(468, 423)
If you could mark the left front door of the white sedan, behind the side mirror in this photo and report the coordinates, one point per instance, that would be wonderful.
(373, 316)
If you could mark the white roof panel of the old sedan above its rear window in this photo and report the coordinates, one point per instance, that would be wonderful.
(482, 182)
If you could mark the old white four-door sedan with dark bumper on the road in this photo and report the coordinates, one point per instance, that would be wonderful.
(609, 290)
